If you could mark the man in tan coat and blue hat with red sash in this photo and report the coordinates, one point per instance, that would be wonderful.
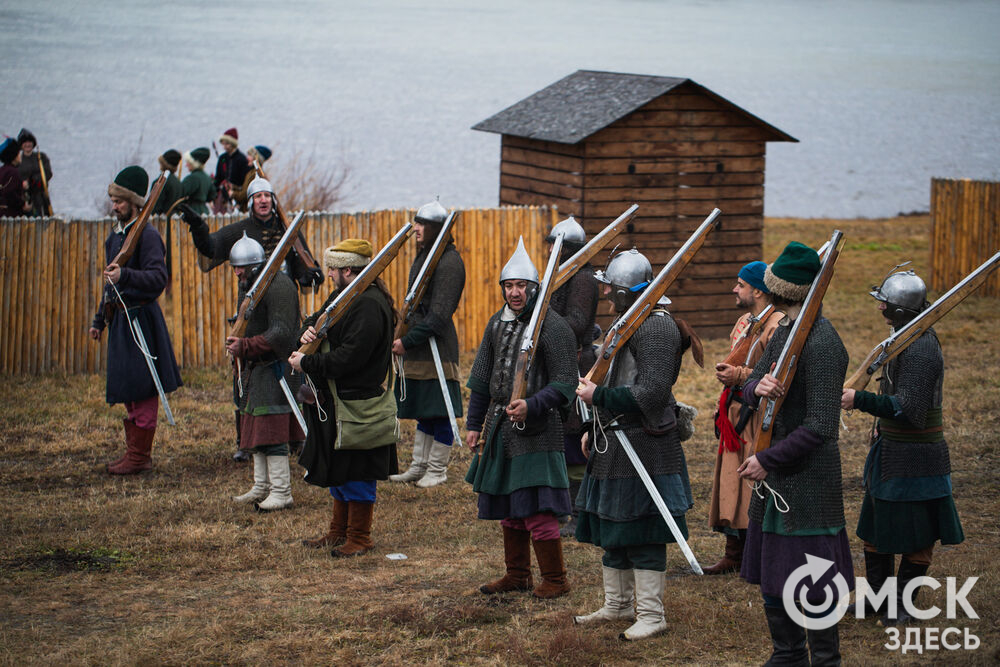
(735, 422)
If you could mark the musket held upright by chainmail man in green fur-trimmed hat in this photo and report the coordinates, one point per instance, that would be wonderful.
(784, 368)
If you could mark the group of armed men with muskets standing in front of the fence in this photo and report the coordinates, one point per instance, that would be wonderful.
(559, 451)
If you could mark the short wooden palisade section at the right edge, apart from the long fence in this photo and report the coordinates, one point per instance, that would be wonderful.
(965, 231)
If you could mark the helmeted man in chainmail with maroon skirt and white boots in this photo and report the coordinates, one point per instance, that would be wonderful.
(267, 424)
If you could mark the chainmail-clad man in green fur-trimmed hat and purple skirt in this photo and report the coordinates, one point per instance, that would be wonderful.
(798, 507)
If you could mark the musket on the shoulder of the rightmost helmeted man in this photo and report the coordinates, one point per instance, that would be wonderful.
(915, 328)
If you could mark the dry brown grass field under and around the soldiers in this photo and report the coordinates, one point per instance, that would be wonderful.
(164, 569)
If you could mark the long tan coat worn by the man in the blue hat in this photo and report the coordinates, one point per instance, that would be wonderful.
(730, 494)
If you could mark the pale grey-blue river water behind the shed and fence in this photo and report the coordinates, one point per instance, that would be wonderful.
(883, 95)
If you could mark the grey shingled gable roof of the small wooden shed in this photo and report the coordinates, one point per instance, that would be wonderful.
(587, 101)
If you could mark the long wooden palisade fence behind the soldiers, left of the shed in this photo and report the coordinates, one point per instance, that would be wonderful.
(51, 280)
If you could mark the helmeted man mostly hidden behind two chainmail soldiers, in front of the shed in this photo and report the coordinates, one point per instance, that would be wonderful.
(576, 301)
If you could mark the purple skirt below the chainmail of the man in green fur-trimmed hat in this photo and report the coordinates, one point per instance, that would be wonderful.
(769, 560)
